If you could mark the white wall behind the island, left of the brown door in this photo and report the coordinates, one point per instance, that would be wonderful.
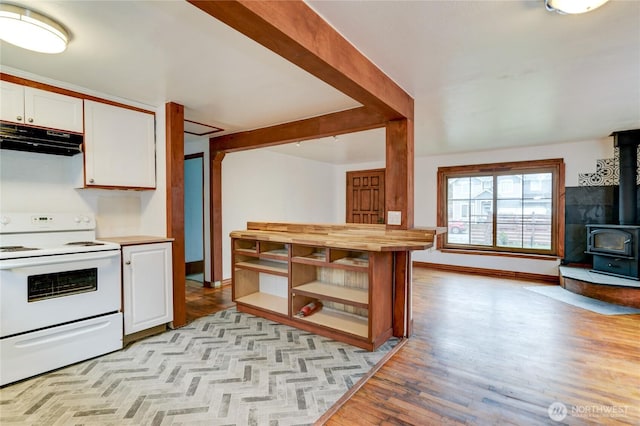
(261, 185)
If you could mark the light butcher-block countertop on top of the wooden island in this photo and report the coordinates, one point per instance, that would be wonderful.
(344, 236)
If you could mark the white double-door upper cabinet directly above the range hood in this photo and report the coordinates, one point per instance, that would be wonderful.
(35, 107)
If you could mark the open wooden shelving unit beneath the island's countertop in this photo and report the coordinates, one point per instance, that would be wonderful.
(343, 281)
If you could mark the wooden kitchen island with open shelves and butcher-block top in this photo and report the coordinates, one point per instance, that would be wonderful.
(277, 268)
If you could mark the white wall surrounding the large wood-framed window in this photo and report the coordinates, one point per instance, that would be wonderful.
(579, 157)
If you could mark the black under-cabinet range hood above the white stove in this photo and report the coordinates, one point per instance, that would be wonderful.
(35, 139)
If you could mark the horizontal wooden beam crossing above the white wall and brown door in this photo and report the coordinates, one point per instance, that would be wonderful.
(353, 120)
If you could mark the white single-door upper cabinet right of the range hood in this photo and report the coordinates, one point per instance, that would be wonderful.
(119, 147)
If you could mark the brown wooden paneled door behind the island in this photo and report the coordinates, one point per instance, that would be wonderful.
(365, 196)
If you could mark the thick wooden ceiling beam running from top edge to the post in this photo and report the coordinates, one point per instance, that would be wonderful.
(297, 33)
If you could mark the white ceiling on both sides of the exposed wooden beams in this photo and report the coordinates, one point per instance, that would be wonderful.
(484, 74)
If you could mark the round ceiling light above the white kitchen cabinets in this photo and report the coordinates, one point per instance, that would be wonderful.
(31, 30)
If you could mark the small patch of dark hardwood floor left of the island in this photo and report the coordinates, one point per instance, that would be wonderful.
(202, 301)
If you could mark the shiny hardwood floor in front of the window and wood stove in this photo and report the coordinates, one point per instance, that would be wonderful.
(488, 351)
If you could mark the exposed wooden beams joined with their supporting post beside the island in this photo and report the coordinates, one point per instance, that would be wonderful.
(294, 31)
